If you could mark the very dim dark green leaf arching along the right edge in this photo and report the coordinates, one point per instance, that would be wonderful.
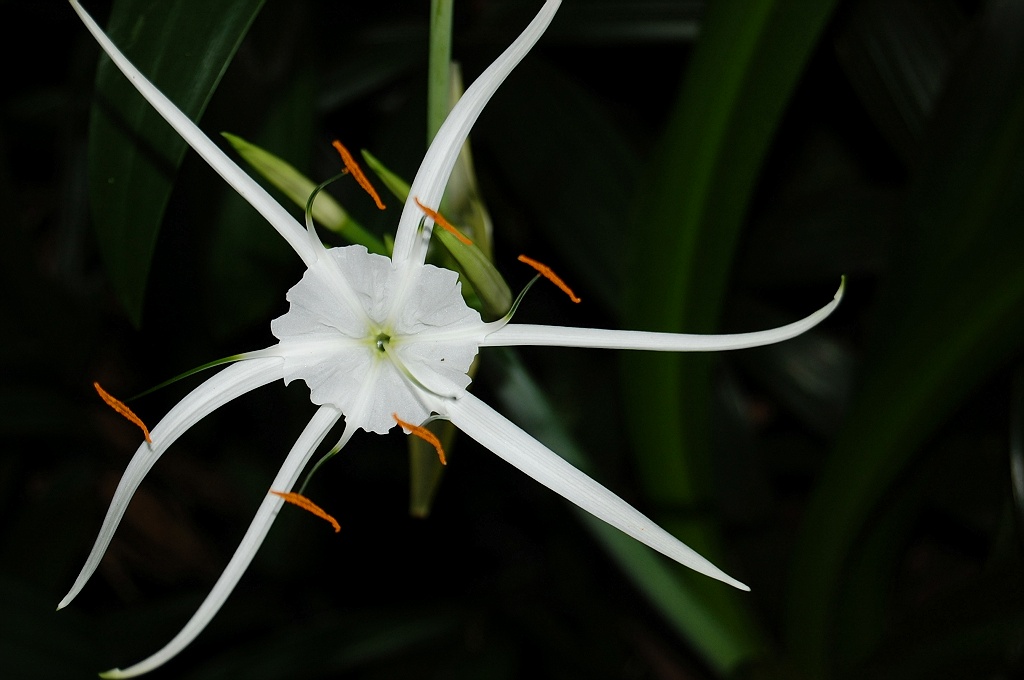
(950, 315)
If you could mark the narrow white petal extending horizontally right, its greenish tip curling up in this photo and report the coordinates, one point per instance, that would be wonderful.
(561, 336)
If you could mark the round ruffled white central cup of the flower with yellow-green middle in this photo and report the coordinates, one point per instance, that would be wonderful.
(372, 339)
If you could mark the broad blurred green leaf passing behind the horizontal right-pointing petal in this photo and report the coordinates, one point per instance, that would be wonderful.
(744, 69)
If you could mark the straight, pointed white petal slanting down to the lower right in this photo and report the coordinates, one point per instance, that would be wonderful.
(515, 446)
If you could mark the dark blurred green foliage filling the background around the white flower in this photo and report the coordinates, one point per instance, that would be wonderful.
(695, 166)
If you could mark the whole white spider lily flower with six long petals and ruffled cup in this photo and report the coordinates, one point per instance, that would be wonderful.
(382, 342)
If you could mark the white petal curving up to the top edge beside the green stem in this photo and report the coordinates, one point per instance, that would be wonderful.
(429, 186)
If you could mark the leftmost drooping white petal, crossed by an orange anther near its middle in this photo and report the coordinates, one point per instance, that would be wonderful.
(219, 391)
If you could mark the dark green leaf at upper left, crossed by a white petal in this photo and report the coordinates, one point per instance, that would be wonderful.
(185, 49)
